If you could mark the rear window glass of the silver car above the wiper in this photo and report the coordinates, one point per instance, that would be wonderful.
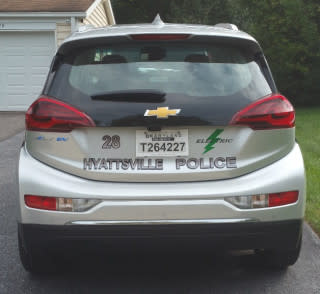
(195, 70)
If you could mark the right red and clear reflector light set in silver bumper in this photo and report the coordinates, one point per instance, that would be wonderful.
(263, 200)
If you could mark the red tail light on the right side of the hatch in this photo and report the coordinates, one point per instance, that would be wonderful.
(272, 112)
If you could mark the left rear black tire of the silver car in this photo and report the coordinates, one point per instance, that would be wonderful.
(34, 262)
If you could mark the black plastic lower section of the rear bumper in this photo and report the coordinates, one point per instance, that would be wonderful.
(251, 235)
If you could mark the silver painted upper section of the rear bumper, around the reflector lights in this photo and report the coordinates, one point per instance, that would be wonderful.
(183, 202)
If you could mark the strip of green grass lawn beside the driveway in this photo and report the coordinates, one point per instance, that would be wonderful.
(308, 136)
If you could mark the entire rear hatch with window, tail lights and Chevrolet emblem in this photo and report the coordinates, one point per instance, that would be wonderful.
(160, 109)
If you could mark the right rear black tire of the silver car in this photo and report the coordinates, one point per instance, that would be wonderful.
(280, 259)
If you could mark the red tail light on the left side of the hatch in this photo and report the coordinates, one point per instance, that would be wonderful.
(50, 115)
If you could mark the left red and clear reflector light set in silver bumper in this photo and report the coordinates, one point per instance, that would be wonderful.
(59, 203)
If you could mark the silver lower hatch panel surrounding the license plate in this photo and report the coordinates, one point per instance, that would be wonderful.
(81, 153)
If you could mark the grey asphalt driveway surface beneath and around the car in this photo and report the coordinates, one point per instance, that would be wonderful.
(220, 273)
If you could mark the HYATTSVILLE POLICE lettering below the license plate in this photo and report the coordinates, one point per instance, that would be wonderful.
(158, 164)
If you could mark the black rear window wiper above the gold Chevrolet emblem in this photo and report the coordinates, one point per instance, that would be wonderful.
(131, 96)
